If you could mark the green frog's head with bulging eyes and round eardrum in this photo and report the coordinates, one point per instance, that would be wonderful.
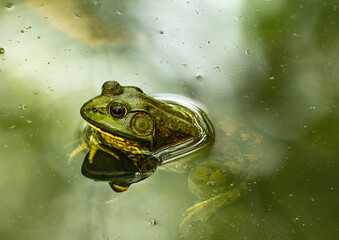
(120, 114)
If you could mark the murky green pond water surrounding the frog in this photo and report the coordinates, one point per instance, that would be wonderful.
(270, 64)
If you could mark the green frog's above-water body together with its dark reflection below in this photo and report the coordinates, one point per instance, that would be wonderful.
(130, 134)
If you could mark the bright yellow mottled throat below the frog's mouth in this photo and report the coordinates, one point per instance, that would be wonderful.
(117, 141)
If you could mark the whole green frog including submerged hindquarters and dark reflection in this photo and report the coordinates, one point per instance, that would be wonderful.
(130, 133)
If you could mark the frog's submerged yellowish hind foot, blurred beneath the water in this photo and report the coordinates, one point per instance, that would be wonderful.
(204, 210)
